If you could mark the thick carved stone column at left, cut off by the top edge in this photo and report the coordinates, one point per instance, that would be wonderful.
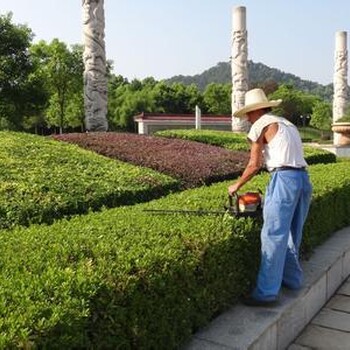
(95, 78)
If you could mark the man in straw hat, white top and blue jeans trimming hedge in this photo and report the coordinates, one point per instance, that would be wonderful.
(287, 198)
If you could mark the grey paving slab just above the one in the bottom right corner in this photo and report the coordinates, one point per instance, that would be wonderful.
(333, 319)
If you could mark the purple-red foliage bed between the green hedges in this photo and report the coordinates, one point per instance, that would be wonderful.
(192, 162)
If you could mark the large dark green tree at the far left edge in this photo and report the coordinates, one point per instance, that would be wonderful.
(21, 93)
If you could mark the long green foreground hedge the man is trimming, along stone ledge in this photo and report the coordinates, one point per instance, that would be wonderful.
(127, 279)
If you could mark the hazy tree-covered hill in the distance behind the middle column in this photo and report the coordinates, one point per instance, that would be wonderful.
(259, 73)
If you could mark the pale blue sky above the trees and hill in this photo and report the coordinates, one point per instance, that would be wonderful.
(163, 38)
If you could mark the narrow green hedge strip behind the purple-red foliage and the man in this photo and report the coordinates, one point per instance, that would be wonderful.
(238, 142)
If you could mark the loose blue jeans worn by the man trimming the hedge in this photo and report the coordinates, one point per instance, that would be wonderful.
(286, 206)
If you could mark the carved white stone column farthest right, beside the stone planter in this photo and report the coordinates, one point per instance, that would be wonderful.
(340, 80)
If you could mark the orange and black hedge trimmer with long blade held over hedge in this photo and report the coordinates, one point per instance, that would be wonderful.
(248, 204)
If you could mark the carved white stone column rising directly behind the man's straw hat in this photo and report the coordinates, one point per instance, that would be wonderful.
(239, 64)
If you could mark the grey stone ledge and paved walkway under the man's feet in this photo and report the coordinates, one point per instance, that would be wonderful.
(316, 317)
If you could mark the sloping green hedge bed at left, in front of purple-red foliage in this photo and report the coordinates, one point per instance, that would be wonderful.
(42, 180)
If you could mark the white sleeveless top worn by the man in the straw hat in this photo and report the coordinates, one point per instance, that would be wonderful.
(285, 149)
